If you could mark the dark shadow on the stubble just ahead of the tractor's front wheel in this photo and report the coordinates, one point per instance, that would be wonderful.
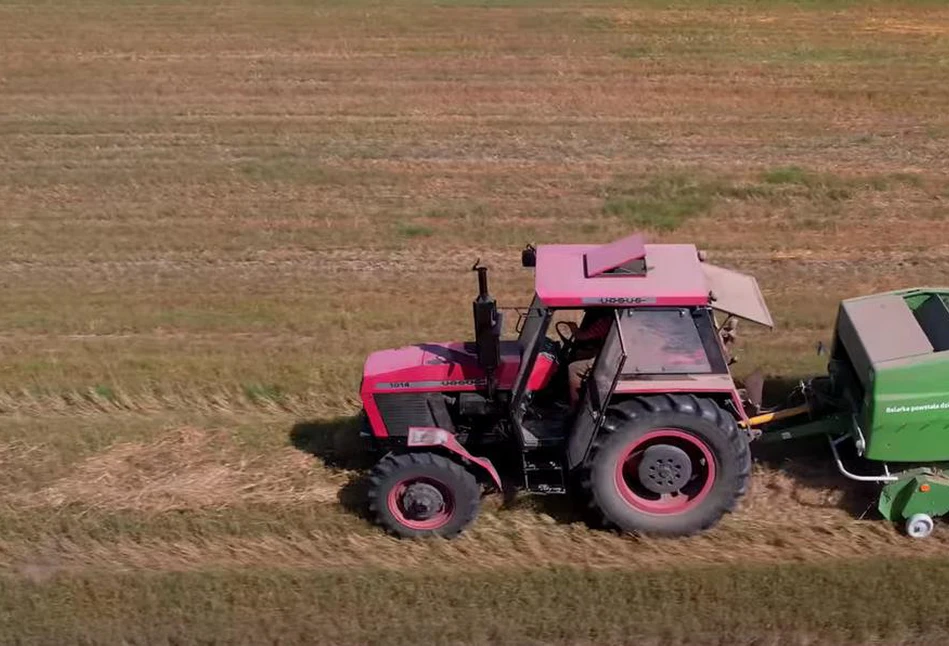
(336, 443)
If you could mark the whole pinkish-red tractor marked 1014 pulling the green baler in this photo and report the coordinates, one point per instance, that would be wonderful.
(657, 441)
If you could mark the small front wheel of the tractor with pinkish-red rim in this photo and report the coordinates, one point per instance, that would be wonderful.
(423, 494)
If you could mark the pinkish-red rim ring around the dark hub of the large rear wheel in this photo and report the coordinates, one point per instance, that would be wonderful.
(689, 496)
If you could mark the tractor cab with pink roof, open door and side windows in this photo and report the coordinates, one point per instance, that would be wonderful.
(663, 337)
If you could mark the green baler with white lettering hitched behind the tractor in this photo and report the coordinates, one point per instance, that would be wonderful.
(887, 392)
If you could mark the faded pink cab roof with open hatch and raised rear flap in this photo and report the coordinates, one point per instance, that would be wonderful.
(631, 273)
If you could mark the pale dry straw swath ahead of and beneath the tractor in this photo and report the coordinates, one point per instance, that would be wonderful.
(196, 497)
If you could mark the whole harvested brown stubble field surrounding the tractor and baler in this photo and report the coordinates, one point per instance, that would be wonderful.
(210, 212)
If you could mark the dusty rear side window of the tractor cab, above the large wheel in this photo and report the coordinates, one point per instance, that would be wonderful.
(670, 341)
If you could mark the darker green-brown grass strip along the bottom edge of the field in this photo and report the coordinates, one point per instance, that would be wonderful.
(840, 603)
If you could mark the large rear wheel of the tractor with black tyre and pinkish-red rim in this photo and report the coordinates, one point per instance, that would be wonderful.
(667, 465)
